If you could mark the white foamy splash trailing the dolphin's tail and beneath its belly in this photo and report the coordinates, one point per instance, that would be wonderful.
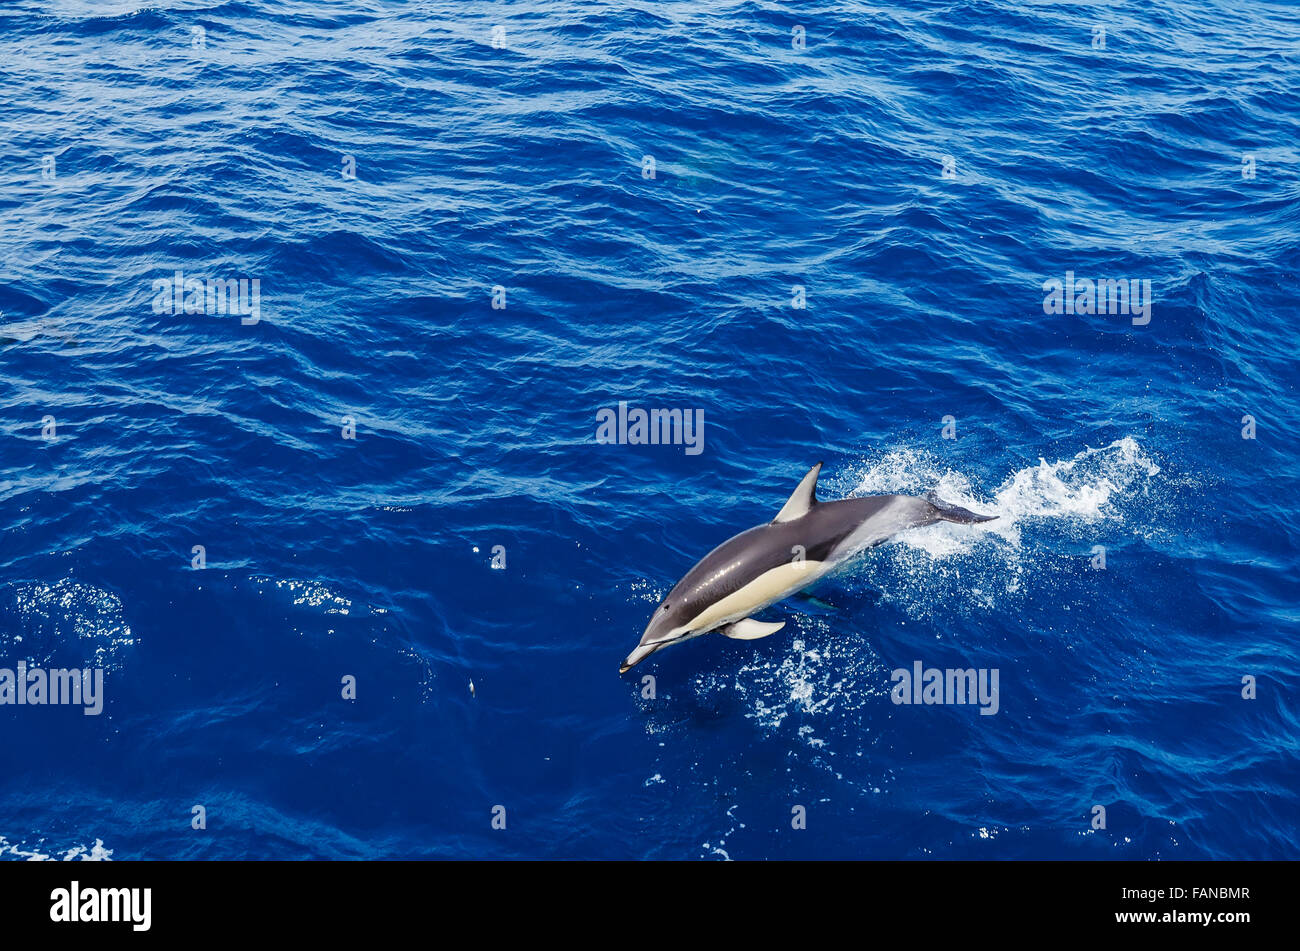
(830, 678)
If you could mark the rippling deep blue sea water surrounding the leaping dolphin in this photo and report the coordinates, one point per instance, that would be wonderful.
(474, 227)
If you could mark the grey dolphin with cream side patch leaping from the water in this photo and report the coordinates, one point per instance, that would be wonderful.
(769, 563)
